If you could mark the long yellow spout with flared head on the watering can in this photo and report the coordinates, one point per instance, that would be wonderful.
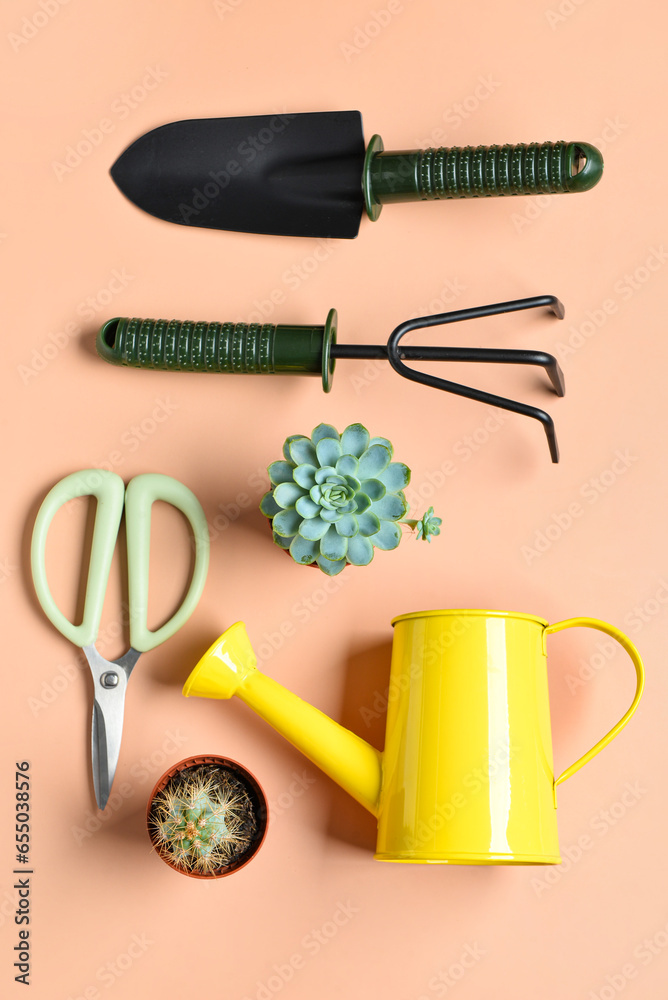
(229, 668)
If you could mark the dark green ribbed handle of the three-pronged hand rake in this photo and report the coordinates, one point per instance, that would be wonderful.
(241, 348)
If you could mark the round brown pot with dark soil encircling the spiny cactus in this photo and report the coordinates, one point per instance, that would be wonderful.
(255, 794)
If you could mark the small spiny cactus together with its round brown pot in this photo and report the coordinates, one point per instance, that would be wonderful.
(207, 817)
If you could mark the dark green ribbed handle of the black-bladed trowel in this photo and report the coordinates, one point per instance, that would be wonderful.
(477, 172)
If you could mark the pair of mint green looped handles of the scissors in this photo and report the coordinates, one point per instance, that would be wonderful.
(111, 495)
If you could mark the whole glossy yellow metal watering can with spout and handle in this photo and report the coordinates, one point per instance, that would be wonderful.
(466, 776)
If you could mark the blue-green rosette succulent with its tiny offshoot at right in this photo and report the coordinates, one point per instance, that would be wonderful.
(335, 497)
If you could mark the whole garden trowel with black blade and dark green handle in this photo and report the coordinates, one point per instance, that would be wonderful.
(310, 174)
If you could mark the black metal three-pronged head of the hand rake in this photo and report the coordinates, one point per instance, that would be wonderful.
(480, 354)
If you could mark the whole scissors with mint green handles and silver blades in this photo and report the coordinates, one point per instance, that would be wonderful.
(111, 677)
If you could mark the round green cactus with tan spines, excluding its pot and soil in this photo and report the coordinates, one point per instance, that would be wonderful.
(202, 821)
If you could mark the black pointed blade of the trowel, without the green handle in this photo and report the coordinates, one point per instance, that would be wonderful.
(284, 175)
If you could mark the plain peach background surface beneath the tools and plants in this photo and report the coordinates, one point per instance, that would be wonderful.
(314, 915)
